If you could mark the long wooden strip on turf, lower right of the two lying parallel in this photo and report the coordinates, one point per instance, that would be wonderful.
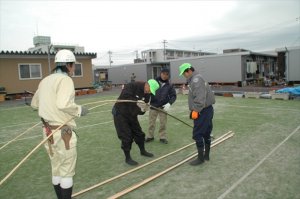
(125, 191)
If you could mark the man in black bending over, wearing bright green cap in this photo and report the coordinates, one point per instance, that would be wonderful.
(125, 115)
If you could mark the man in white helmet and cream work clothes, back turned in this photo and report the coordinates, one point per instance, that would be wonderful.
(55, 102)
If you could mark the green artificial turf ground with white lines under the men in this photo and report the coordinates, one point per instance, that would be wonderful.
(259, 126)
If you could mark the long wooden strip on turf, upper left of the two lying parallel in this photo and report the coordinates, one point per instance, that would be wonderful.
(141, 166)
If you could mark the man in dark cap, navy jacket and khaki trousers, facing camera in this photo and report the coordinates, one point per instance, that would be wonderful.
(164, 98)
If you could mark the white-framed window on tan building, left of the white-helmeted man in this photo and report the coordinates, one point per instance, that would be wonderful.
(30, 71)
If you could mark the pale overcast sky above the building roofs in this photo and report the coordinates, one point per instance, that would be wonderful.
(126, 26)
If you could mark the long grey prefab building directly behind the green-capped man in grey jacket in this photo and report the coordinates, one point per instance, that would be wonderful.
(230, 68)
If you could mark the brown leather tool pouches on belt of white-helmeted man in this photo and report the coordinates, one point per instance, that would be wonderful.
(66, 134)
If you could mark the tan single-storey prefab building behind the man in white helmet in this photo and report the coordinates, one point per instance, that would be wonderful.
(23, 70)
